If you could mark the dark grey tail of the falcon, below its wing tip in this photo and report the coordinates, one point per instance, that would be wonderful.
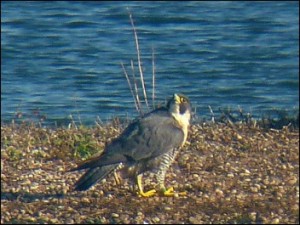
(92, 176)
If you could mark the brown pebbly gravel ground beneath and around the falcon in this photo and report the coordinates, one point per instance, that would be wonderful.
(232, 174)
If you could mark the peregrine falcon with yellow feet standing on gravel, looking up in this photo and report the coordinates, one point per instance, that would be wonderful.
(149, 143)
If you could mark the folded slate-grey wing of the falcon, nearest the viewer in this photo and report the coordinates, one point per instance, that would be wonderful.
(144, 139)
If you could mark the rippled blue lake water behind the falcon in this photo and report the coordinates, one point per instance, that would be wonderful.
(64, 58)
